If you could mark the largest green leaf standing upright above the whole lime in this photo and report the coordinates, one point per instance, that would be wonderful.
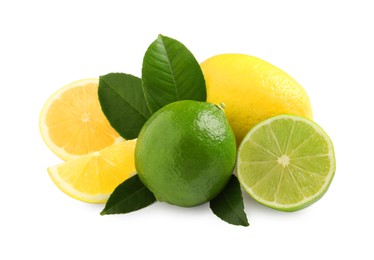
(170, 73)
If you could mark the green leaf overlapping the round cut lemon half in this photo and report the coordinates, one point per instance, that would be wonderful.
(122, 101)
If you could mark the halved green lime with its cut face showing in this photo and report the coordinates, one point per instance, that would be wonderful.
(286, 162)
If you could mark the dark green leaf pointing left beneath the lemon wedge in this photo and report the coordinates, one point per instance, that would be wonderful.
(131, 195)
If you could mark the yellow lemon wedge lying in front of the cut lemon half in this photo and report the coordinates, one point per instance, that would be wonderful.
(93, 177)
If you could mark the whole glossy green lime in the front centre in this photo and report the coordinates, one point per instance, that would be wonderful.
(186, 153)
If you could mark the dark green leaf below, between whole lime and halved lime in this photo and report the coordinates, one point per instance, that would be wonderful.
(228, 205)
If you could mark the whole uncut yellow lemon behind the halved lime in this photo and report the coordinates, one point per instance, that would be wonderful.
(252, 90)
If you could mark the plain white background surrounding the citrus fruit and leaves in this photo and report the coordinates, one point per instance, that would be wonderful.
(327, 46)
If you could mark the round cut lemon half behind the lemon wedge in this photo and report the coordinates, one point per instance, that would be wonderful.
(72, 122)
